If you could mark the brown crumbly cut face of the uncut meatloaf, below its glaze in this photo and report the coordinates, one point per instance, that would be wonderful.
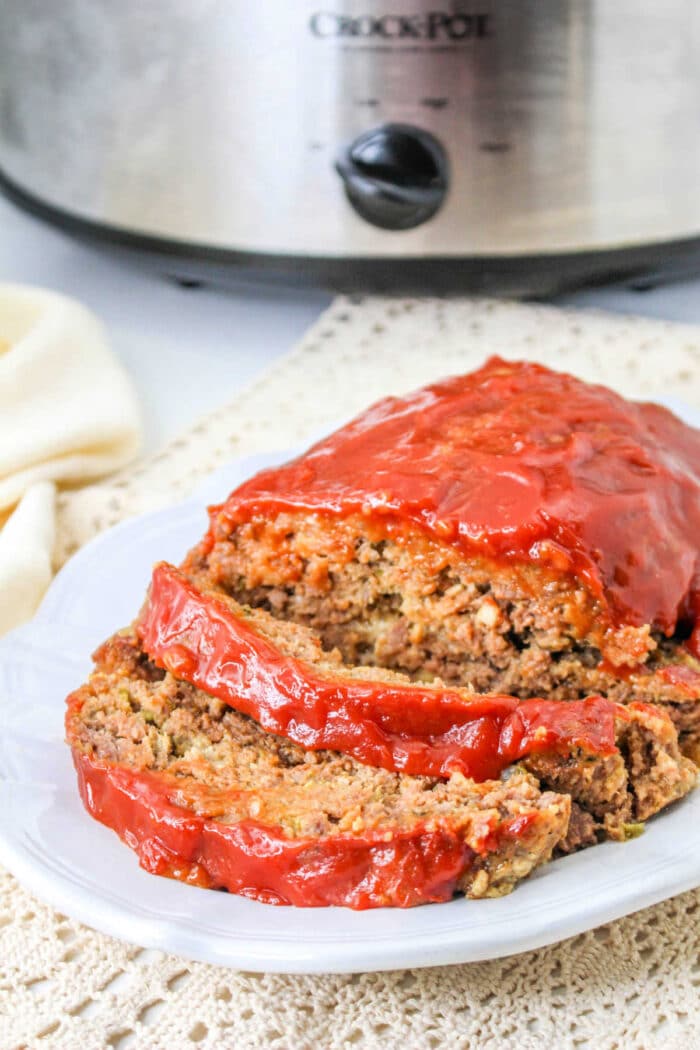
(419, 608)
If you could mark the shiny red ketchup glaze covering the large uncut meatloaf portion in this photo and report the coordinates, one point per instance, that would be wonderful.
(518, 463)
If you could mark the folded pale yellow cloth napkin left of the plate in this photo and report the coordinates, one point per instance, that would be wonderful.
(68, 414)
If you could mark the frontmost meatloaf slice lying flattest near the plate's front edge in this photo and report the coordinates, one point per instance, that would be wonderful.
(203, 795)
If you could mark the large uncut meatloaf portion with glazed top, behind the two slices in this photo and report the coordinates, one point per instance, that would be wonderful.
(513, 531)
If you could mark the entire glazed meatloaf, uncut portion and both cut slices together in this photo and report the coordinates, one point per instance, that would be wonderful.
(352, 690)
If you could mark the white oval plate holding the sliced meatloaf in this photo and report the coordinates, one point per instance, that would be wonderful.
(54, 848)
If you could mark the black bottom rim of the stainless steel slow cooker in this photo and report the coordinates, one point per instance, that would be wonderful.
(520, 277)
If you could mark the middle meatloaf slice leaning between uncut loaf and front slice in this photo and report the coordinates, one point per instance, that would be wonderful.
(622, 764)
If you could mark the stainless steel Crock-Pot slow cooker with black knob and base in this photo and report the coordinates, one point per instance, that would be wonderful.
(512, 145)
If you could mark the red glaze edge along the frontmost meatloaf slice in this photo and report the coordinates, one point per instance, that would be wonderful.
(248, 858)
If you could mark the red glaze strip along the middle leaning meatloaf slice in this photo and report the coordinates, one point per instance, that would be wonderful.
(409, 729)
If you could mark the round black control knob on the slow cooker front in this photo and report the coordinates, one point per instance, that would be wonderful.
(395, 176)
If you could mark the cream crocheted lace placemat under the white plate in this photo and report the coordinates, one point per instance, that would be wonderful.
(632, 984)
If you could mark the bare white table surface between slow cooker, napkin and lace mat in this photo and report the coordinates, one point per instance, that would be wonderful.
(190, 350)
